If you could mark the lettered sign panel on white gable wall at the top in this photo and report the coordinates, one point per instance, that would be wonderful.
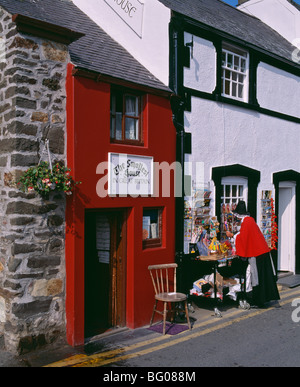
(130, 11)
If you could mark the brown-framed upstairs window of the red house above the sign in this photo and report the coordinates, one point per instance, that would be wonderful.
(125, 117)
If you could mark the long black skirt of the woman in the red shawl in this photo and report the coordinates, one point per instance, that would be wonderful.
(266, 290)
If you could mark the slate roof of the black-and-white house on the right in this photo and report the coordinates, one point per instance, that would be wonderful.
(225, 18)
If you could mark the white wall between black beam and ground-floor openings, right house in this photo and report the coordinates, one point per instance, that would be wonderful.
(225, 135)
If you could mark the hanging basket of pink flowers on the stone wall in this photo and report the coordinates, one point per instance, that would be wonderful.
(42, 179)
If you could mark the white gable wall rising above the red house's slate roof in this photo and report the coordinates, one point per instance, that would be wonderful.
(151, 49)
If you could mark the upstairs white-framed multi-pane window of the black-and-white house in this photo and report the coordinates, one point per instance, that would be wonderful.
(235, 73)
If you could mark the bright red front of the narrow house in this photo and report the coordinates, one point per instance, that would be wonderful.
(107, 282)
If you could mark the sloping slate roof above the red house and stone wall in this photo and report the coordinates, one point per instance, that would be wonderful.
(96, 51)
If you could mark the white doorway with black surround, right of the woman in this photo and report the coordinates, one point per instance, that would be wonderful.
(287, 227)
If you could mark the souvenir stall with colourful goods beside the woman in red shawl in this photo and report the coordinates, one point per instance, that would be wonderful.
(208, 244)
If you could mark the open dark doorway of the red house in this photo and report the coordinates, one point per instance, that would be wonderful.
(105, 271)
